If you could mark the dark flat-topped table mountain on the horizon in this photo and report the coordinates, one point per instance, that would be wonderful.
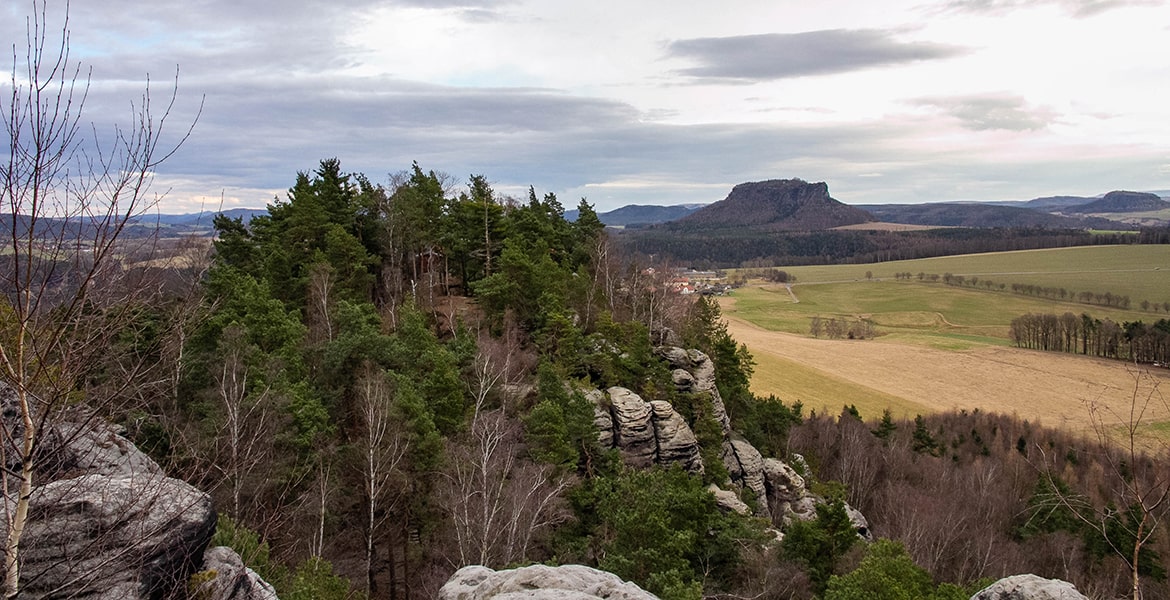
(792, 205)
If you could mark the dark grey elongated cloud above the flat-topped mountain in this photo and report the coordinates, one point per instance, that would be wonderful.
(777, 57)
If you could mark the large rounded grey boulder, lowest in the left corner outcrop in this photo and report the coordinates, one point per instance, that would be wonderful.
(114, 537)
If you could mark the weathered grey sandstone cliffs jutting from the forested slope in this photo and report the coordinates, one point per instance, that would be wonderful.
(653, 433)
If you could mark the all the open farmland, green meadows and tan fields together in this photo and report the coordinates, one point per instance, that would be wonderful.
(946, 348)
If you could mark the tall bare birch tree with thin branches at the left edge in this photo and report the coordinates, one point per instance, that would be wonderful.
(70, 199)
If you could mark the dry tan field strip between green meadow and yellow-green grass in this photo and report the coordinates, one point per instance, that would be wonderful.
(1041, 387)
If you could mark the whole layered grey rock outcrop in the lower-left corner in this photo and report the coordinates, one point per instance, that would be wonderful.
(105, 521)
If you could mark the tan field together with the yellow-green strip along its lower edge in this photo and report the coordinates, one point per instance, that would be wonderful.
(1051, 389)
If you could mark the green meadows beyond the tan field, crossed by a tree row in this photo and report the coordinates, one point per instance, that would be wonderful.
(937, 314)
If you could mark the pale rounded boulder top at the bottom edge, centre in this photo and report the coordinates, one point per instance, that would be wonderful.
(540, 583)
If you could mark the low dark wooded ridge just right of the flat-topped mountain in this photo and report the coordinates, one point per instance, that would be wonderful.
(953, 215)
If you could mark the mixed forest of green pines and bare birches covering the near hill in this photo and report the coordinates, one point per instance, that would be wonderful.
(382, 384)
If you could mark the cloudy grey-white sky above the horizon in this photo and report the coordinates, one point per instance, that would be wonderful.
(627, 102)
